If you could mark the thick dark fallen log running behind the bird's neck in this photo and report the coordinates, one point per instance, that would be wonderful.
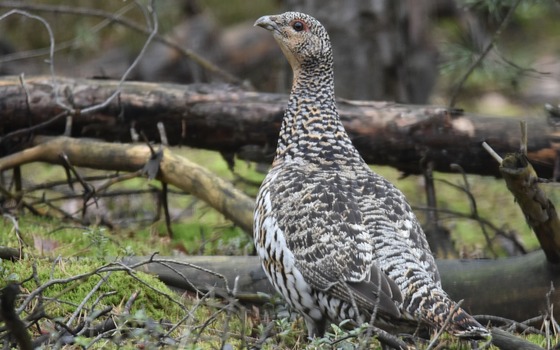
(228, 119)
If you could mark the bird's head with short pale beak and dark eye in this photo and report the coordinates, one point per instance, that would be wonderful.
(302, 38)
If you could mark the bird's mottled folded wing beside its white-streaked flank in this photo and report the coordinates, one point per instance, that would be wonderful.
(325, 230)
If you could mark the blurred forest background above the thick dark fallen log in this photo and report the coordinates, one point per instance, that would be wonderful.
(404, 51)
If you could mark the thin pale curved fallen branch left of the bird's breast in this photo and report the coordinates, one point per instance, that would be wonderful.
(170, 168)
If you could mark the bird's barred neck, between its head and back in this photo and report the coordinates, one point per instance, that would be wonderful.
(311, 129)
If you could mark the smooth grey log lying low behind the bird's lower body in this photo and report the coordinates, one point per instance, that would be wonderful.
(512, 288)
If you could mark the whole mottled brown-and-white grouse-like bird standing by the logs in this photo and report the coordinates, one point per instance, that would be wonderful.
(337, 240)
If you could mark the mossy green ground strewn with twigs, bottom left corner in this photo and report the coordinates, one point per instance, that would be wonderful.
(201, 323)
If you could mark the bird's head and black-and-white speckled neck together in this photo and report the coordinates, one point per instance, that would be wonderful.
(311, 130)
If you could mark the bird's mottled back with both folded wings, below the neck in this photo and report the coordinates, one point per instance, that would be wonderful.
(340, 220)
